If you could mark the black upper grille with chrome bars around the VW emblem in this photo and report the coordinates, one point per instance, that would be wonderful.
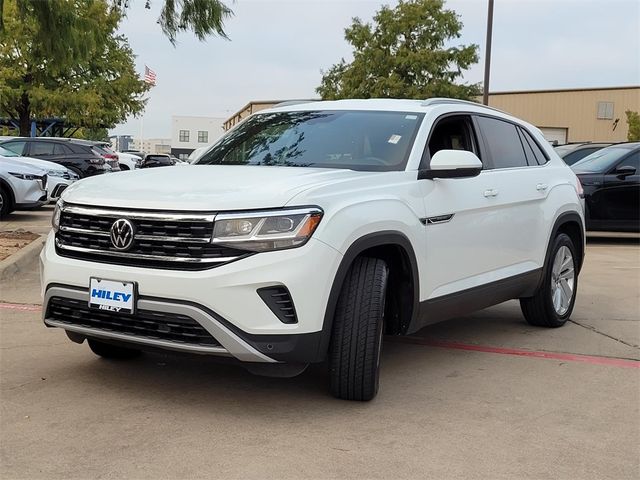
(161, 240)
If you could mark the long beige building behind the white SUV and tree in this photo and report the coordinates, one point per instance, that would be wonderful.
(572, 115)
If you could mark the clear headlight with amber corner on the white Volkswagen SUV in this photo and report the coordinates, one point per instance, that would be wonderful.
(266, 230)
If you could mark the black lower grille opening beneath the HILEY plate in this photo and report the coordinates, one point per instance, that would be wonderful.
(143, 324)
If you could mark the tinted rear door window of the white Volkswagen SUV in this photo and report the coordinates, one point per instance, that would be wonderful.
(503, 142)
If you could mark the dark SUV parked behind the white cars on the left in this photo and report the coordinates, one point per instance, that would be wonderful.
(84, 157)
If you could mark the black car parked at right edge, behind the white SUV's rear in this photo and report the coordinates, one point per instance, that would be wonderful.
(611, 181)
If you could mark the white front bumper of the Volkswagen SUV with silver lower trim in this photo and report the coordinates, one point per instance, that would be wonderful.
(224, 300)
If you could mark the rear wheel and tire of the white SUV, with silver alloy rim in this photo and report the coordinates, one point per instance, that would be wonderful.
(553, 302)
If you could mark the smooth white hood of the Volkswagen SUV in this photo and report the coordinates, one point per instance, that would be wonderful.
(202, 187)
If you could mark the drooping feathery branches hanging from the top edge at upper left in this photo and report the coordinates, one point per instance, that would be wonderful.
(203, 17)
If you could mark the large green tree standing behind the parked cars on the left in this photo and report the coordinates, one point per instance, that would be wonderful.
(92, 85)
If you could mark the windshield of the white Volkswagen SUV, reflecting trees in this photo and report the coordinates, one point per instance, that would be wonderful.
(356, 140)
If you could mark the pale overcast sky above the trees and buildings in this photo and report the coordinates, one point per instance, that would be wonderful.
(277, 49)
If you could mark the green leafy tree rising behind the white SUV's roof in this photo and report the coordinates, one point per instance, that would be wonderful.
(403, 54)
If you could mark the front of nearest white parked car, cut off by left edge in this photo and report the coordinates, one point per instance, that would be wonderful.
(22, 187)
